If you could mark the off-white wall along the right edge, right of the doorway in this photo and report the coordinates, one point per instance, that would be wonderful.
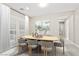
(74, 27)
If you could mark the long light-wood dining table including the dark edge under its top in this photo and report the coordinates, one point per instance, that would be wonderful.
(42, 38)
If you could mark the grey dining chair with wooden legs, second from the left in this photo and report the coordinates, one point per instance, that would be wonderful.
(32, 44)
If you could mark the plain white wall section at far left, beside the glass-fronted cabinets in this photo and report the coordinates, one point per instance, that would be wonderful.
(5, 17)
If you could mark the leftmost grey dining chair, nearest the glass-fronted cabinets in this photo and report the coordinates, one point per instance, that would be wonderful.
(21, 44)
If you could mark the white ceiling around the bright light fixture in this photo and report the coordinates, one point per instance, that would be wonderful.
(51, 8)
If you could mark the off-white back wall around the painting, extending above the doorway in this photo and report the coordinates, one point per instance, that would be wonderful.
(54, 24)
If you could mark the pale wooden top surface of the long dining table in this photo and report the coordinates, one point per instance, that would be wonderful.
(46, 38)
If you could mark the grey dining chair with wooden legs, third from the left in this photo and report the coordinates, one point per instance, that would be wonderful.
(46, 46)
